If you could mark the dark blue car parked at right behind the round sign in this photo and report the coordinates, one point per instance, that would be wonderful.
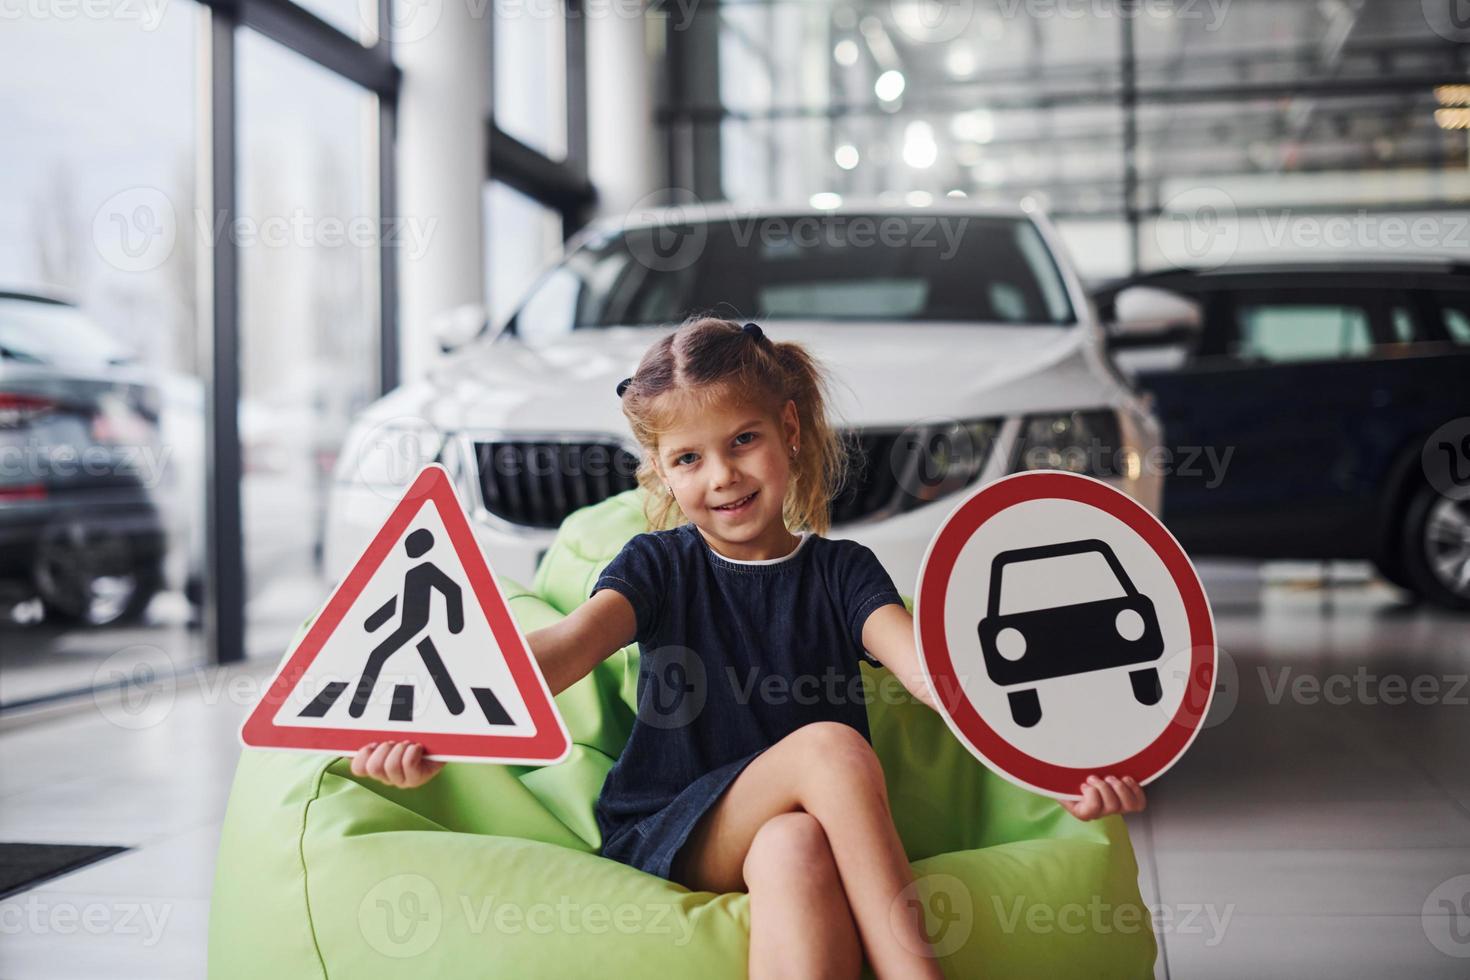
(1299, 411)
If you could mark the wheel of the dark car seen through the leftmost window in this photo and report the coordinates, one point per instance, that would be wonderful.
(93, 575)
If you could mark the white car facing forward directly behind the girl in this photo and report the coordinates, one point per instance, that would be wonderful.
(961, 342)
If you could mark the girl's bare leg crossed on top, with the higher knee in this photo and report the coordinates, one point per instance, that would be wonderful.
(830, 772)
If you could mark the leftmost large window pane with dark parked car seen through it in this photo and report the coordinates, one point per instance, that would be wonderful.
(102, 471)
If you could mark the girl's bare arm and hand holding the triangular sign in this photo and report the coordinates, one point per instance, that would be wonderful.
(565, 652)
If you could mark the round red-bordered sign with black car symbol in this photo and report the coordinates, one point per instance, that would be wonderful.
(1065, 634)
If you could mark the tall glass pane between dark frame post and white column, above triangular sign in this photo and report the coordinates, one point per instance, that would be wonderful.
(309, 239)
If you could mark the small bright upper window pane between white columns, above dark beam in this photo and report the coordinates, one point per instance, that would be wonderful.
(530, 64)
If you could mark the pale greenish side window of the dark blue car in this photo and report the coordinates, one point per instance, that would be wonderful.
(1293, 333)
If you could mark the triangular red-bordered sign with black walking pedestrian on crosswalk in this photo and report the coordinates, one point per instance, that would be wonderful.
(418, 644)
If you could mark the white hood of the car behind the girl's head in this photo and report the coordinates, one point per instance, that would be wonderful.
(883, 374)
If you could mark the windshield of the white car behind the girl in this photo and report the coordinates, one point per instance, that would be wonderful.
(818, 267)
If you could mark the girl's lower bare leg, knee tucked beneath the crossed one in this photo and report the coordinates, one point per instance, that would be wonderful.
(800, 922)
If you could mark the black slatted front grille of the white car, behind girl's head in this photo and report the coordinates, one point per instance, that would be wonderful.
(537, 484)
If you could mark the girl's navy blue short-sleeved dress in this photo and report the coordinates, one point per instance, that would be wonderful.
(736, 657)
